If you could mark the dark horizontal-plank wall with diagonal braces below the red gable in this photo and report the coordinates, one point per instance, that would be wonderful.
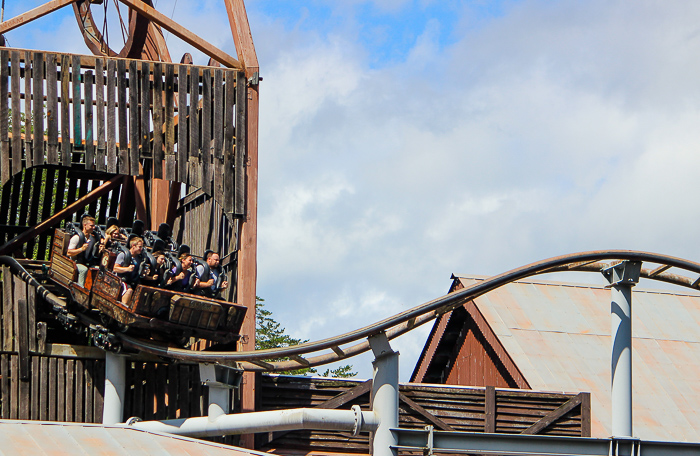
(461, 408)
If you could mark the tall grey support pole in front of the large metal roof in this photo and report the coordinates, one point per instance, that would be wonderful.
(622, 278)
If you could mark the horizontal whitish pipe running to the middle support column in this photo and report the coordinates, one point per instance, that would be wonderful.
(276, 420)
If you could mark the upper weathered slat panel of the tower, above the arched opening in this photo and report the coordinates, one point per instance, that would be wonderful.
(98, 114)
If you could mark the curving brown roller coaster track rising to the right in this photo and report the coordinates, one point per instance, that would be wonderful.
(329, 350)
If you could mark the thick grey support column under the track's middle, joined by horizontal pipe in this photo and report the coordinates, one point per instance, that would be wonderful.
(385, 395)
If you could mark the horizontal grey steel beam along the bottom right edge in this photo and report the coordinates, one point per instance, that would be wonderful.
(429, 441)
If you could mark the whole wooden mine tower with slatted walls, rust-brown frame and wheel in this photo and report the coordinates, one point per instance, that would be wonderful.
(127, 133)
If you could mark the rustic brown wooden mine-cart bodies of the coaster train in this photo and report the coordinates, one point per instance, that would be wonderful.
(151, 312)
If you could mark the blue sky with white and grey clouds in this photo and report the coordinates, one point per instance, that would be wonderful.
(402, 141)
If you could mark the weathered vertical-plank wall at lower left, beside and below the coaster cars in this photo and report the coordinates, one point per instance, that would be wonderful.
(38, 384)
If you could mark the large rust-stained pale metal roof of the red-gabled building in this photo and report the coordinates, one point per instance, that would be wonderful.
(559, 337)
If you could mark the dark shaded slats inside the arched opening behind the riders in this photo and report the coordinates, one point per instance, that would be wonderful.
(35, 194)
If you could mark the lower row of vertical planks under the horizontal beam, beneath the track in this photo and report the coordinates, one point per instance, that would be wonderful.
(69, 388)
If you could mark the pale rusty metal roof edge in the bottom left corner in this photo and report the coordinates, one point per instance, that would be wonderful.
(19, 438)
